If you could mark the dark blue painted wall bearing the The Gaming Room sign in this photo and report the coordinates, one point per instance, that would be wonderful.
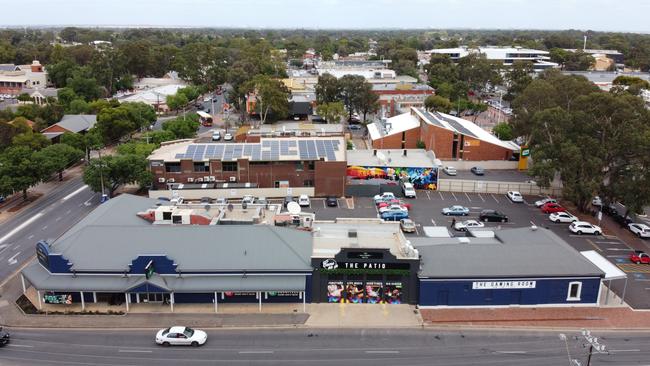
(546, 291)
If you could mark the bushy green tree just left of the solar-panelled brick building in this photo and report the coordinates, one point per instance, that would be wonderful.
(117, 171)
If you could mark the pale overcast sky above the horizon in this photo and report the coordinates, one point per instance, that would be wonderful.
(617, 15)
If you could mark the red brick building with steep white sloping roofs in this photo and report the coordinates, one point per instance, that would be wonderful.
(447, 136)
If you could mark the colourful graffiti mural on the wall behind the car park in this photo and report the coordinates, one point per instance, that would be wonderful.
(422, 178)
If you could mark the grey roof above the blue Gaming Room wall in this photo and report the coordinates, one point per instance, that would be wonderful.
(520, 252)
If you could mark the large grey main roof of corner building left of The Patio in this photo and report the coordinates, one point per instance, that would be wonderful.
(112, 236)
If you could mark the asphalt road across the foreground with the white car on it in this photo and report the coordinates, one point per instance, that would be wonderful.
(322, 347)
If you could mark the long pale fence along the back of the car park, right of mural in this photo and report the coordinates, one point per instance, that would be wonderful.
(478, 186)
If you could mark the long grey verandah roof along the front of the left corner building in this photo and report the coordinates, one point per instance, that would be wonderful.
(41, 279)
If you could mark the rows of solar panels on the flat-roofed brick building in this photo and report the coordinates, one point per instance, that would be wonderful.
(267, 150)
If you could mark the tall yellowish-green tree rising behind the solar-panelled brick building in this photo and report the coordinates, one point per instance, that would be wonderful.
(271, 97)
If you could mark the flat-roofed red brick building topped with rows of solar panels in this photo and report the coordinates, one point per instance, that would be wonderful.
(271, 163)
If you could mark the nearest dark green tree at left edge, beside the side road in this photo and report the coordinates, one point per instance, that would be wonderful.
(20, 168)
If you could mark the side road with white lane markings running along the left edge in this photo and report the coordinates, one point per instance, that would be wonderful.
(47, 218)
